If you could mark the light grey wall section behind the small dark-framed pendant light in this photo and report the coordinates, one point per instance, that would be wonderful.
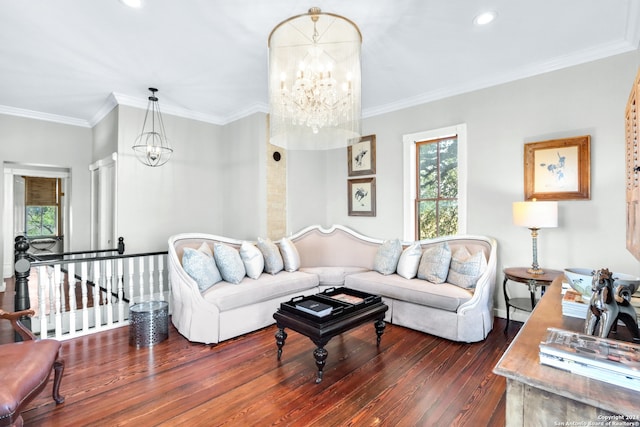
(184, 195)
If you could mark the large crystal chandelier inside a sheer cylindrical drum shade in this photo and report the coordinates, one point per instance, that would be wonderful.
(314, 82)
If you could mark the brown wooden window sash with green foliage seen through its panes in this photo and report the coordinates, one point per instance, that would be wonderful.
(437, 204)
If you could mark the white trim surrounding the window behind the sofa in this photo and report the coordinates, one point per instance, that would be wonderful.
(409, 178)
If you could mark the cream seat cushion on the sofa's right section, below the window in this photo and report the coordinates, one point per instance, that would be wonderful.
(444, 296)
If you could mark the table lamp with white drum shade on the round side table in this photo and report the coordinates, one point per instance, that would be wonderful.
(535, 215)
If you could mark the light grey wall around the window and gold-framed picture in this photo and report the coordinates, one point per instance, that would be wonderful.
(586, 99)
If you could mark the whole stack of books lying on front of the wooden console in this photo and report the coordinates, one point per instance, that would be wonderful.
(603, 359)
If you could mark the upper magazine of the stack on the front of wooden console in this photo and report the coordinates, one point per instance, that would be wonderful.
(620, 357)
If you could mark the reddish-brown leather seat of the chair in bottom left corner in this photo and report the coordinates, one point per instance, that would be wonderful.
(25, 370)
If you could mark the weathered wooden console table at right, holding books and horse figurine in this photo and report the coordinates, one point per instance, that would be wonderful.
(544, 396)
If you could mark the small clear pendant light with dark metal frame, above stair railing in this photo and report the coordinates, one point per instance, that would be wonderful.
(151, 146)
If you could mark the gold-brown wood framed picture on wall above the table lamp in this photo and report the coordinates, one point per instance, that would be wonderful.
(558, 169)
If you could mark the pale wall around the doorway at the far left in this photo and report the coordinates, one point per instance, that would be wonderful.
(38, 142)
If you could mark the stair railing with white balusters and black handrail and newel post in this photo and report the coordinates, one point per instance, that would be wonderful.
(77, 296)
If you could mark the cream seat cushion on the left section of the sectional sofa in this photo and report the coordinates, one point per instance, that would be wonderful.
(227, 296)
